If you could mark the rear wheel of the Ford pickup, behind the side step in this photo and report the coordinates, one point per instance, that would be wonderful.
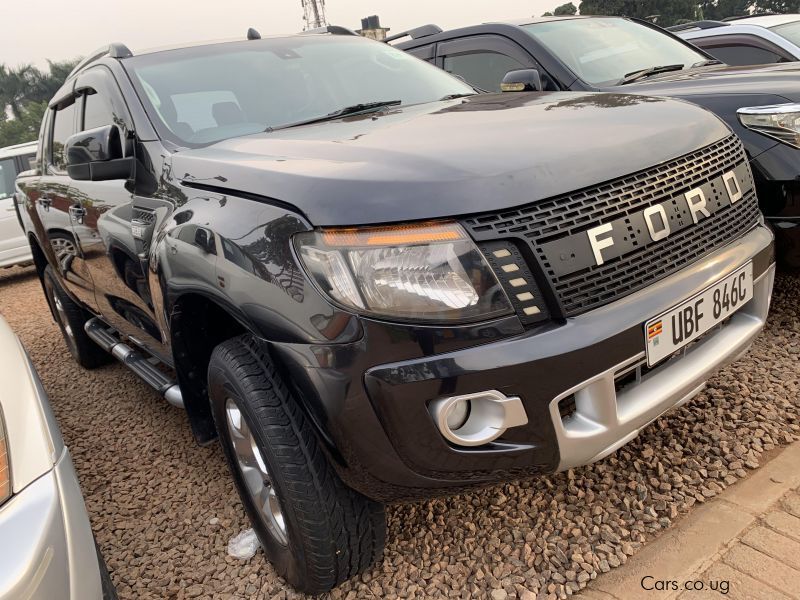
(71, 318)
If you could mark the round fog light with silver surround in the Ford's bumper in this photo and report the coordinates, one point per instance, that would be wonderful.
(477, 419)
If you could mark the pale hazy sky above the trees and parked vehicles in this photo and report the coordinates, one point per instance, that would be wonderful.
(58, 29)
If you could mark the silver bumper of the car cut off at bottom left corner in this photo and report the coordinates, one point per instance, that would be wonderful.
(48, 550)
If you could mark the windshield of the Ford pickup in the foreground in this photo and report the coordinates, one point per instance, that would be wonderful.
(206, 94)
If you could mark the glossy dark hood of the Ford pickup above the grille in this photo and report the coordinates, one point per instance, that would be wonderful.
(487, 152)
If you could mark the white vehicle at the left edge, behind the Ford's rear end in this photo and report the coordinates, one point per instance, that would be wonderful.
(14, 247)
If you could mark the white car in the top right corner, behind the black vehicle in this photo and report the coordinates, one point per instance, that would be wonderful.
(754, 40)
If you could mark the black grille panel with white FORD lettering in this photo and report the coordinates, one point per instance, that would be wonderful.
(618, 237)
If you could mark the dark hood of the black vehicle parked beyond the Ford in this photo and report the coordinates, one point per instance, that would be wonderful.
(781, 80)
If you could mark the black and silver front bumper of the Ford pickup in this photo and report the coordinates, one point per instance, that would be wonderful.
(383, 439)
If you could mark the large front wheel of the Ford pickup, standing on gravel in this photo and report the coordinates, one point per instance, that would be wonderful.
(329, 532)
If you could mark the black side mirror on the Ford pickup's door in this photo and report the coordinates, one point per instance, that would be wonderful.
(96, 155)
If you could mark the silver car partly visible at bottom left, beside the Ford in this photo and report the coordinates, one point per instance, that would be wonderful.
(47, 550)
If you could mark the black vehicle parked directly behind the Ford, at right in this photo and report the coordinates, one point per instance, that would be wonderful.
(761, 104)
